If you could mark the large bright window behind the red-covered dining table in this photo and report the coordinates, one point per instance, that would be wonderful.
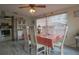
(53, 24)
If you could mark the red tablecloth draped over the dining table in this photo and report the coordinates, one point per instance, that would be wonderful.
(48, 40)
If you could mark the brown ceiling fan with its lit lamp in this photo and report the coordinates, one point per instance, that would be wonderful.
(33, 6)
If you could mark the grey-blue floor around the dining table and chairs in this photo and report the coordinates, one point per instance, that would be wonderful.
(16, 48)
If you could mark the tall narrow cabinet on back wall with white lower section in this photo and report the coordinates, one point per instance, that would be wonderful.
(21, 25)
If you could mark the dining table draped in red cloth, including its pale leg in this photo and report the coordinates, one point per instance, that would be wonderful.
(48, 40)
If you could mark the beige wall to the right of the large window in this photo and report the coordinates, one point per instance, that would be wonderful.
(73, 23)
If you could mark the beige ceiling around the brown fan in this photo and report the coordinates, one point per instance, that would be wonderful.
(39, 11)
